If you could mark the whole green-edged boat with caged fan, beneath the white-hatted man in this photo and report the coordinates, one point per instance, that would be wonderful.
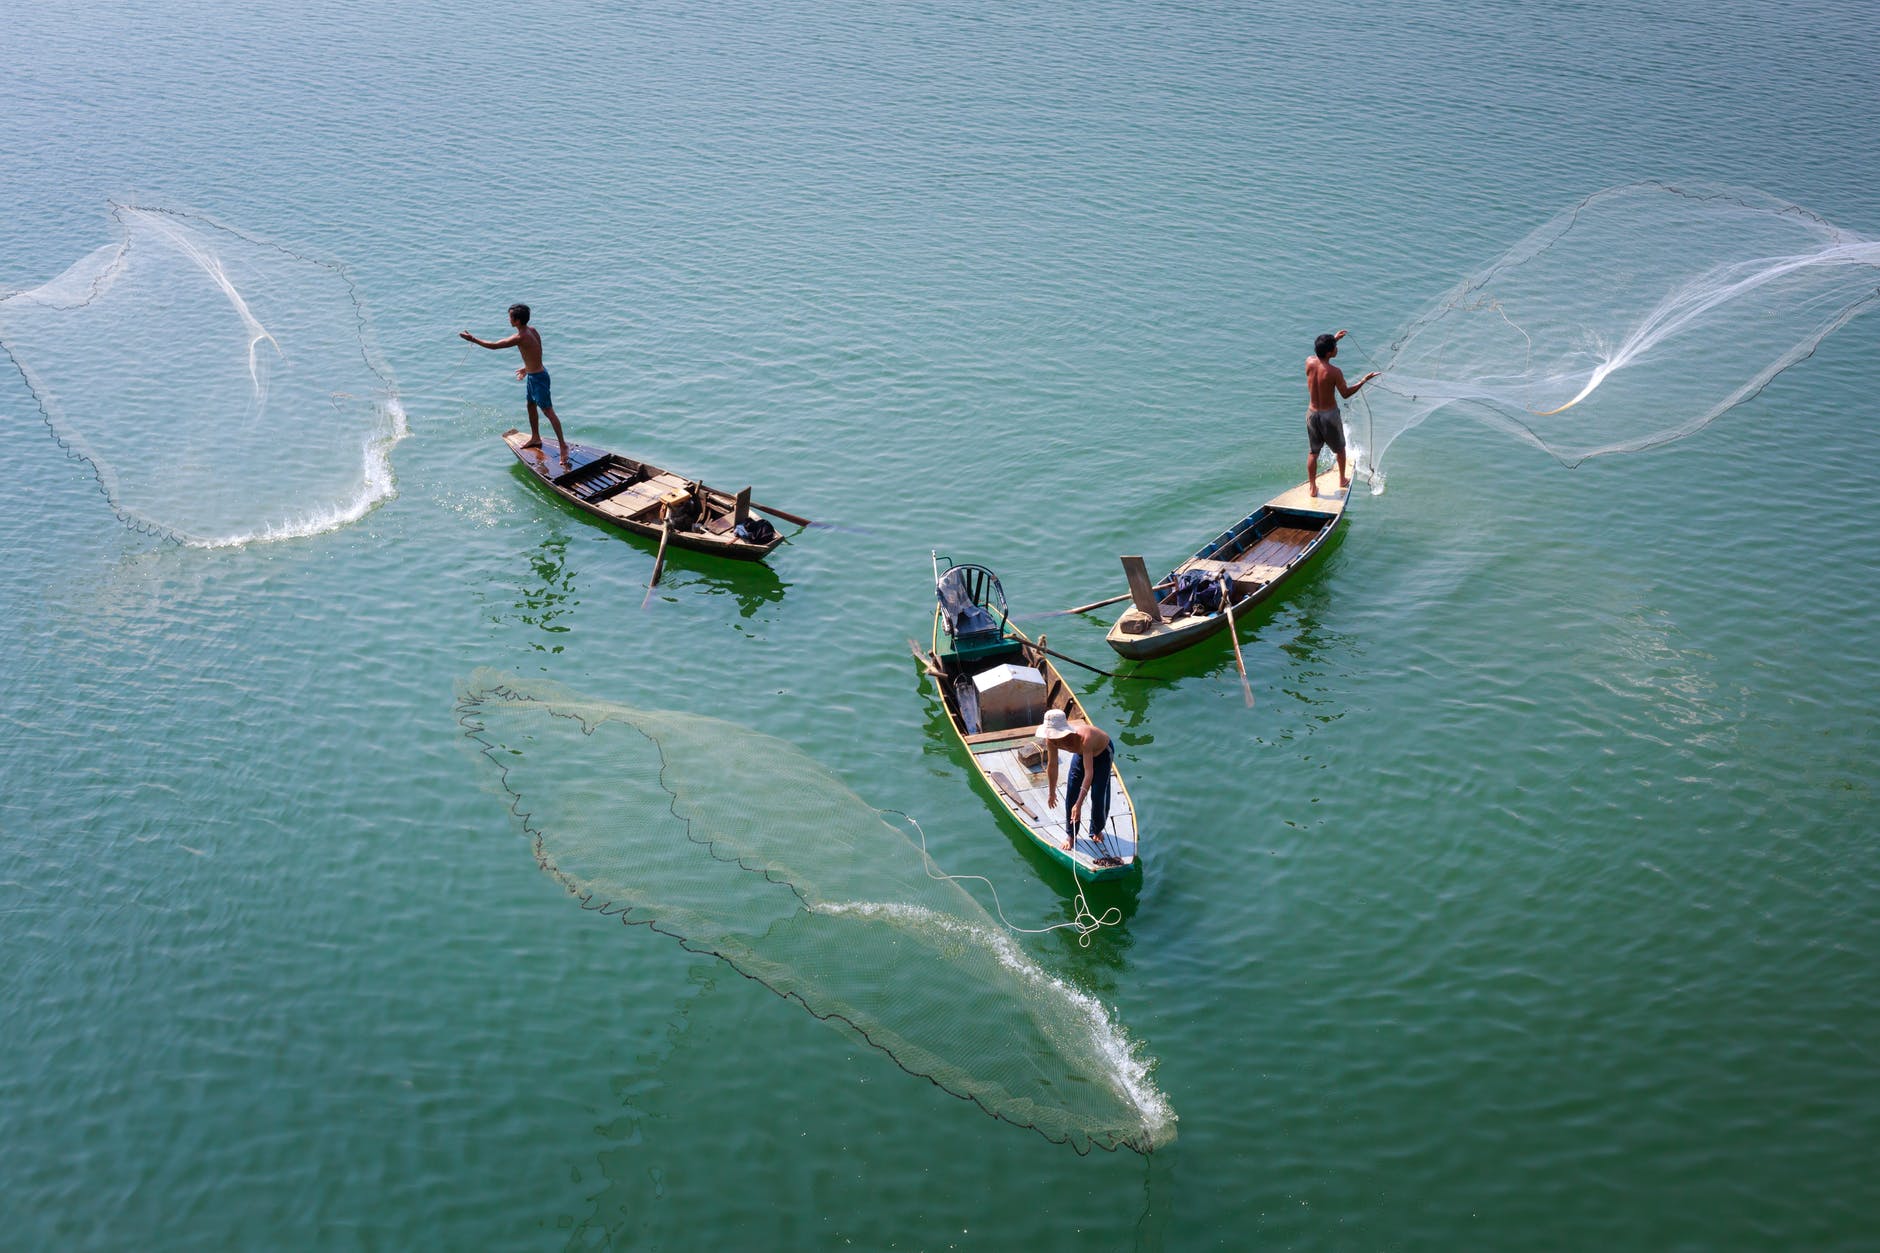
(995, 686)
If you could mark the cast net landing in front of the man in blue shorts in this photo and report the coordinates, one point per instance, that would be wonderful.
(223, 389)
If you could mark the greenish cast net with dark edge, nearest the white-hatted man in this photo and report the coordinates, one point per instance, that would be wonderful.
(742, 848)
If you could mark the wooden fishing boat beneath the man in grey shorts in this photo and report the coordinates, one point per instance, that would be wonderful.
(1255, 556)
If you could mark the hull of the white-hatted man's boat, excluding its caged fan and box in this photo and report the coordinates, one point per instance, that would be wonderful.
(1020, 789)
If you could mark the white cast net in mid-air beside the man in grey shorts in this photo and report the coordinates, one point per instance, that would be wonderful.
(1638, 317)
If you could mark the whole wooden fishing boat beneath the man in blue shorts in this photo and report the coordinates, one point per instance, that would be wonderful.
(650, 501)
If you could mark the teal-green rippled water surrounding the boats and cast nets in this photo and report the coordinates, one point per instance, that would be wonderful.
(1533, 906)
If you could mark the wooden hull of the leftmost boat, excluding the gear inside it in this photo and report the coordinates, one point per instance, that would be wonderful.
(627, 494)
